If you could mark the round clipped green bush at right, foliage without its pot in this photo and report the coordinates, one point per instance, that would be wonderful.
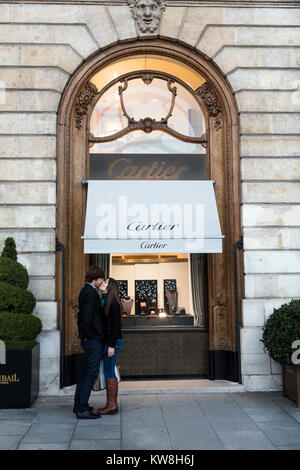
(280, 330)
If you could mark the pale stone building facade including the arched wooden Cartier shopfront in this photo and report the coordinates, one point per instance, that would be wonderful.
(160, 140)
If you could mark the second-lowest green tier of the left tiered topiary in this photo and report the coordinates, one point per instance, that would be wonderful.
(16, 300)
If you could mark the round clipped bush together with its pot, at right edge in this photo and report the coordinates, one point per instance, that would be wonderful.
(280, 332)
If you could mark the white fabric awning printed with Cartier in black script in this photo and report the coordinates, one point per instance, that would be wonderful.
(152, 217)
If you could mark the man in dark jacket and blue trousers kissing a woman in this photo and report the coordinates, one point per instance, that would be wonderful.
(91, 334)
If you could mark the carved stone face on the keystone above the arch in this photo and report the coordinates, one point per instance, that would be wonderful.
(147, 14)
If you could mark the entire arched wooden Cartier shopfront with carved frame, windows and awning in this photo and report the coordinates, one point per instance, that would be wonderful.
(144, 192)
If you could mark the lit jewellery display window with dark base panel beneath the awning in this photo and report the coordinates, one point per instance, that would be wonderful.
(164, 334)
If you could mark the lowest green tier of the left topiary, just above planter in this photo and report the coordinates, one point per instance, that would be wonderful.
(19, 331)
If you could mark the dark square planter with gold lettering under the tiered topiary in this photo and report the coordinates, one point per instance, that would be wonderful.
(19, 378)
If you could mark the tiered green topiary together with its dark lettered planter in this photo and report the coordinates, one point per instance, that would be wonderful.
(19, 372)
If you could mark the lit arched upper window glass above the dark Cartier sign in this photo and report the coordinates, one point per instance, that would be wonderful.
(143, 100)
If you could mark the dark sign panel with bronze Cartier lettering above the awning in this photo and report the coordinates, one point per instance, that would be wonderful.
(147, 167)
